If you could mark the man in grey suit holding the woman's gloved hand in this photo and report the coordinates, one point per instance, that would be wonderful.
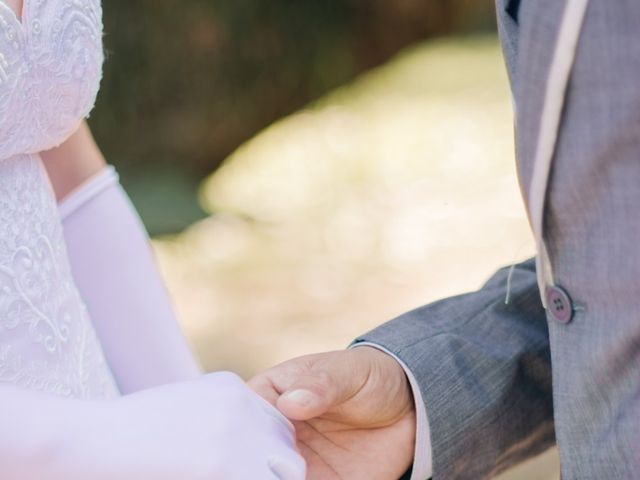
(470, 386)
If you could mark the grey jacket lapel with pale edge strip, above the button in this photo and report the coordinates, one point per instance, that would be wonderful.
(549, 34)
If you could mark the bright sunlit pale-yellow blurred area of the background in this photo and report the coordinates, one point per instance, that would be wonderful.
(387, 193)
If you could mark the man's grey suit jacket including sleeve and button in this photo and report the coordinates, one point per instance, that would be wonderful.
(484, 367)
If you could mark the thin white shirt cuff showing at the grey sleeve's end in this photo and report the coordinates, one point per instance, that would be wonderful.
(422, 461)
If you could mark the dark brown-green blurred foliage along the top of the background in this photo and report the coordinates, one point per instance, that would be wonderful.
(187, 81)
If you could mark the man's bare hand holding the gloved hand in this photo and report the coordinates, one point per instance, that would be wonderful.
(353, 411)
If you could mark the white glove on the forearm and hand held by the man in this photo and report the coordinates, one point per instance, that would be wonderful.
(212, 428)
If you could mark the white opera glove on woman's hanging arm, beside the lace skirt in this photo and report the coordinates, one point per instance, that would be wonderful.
(113, 266)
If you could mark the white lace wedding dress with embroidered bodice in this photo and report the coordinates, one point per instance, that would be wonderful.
(50, 69)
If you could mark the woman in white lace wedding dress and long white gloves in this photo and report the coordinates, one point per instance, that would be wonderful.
(96, 379)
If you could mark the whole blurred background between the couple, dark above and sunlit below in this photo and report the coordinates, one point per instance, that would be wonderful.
(311, 169)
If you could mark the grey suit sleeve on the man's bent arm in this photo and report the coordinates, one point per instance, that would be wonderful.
(484, 371)
